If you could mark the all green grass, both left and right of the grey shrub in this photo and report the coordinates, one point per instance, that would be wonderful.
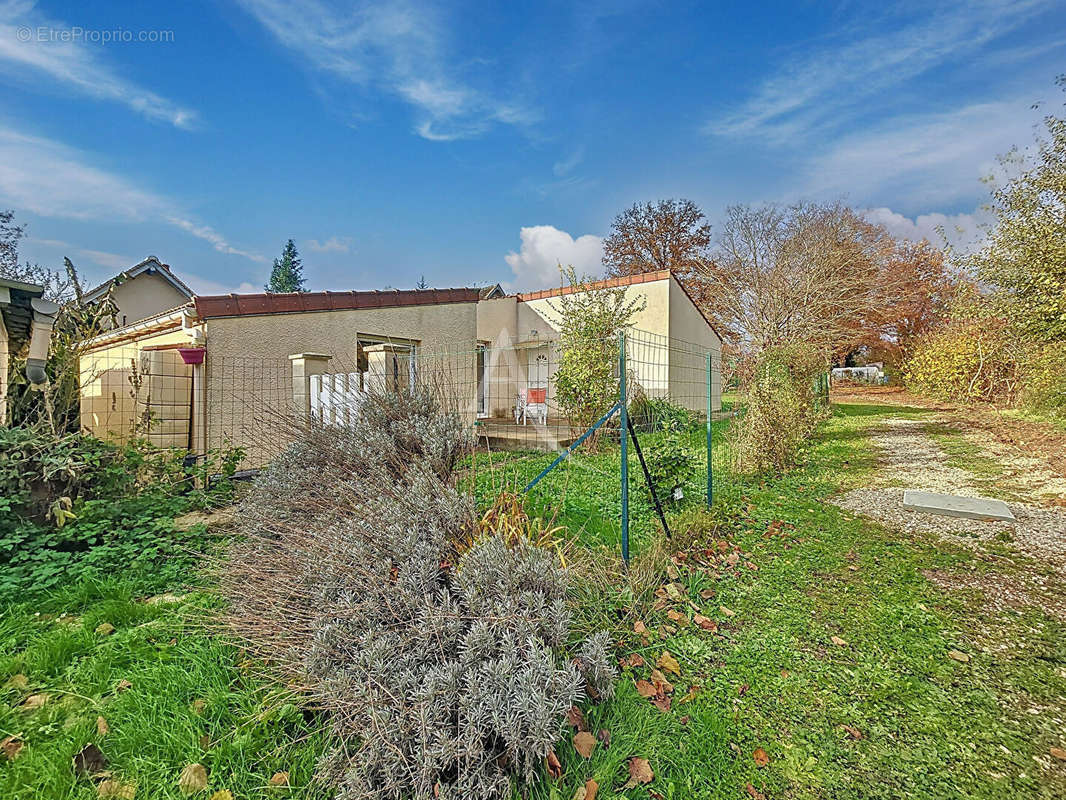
(887, 715)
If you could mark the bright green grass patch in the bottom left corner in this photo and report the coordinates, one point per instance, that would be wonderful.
(191, 699)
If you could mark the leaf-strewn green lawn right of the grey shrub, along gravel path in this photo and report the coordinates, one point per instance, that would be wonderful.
(887, 715)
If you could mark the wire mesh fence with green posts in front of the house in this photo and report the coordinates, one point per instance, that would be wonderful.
(526, 402)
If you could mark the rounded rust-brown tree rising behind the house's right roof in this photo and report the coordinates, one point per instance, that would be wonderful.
(669, 235)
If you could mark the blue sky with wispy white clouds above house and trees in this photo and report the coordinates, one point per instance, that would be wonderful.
(477, 143)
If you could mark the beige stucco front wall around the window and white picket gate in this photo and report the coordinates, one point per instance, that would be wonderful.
(249, 378)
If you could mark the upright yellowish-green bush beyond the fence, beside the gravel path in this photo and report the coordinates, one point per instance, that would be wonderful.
(783, 408)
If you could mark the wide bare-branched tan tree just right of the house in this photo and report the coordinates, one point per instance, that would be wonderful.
(803, 274)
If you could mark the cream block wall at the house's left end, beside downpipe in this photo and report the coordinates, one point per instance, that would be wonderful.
(114, 407)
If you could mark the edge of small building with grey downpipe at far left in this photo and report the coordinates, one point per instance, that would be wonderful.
(26, 326)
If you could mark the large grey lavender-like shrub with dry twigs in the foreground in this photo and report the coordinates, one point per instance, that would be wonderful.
(437, 645)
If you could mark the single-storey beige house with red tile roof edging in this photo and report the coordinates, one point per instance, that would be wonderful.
(221, 369)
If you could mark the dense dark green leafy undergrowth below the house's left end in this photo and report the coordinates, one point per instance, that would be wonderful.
(73, 507)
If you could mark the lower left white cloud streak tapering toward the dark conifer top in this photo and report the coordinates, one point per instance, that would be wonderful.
(52, 180)
